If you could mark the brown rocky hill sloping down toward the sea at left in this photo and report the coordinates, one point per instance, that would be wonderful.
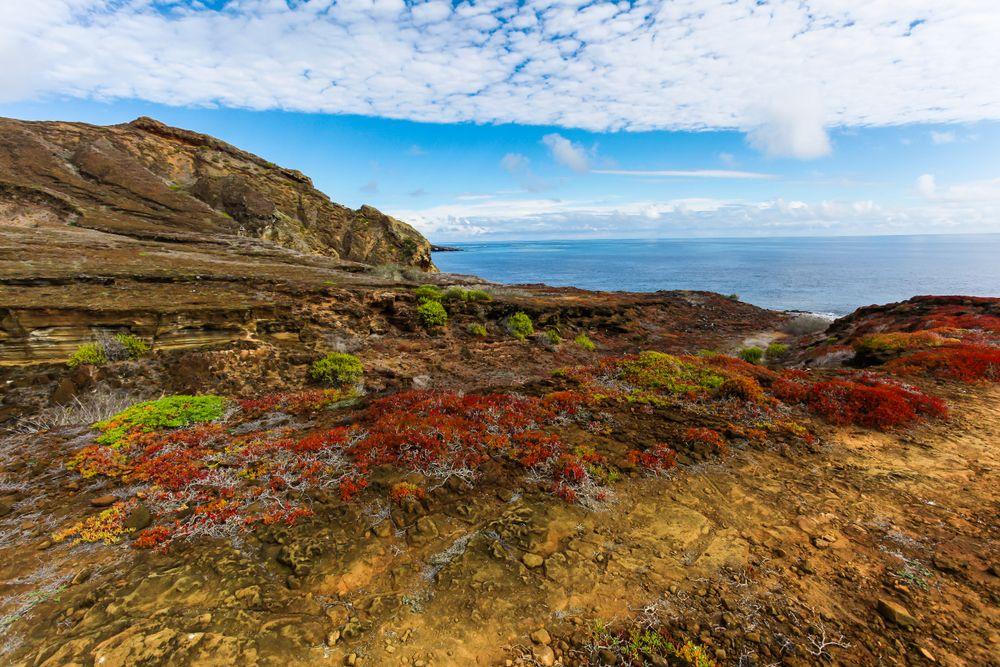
(147, 180)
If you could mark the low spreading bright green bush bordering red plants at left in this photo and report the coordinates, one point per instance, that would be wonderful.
(167, 412)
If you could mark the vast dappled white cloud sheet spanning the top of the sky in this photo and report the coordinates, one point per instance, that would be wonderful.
(704, 63)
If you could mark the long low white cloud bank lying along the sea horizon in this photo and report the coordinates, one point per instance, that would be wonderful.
(968, 207)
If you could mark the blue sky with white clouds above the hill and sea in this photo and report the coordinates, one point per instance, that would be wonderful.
(552, 119)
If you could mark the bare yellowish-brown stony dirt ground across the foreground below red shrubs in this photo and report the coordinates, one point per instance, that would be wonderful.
(866, 548)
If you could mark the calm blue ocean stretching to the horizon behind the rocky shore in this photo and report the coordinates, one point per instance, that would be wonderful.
(832, 275)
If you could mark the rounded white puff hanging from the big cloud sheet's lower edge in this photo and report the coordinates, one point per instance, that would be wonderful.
(790, 128)
